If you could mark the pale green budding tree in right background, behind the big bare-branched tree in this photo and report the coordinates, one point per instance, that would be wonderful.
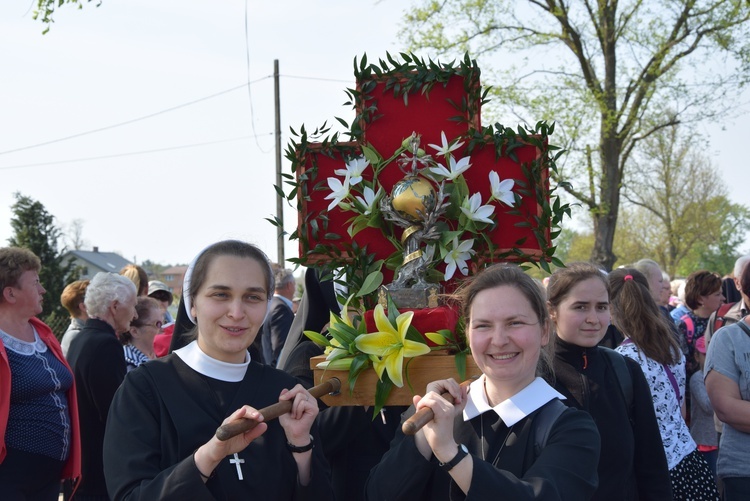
(678, 209)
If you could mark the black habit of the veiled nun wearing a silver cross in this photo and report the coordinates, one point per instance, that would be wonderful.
(165, 410)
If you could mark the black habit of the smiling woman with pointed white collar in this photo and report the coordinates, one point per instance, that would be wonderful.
(564, 469)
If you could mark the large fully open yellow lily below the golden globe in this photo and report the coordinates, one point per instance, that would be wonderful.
(391, 345)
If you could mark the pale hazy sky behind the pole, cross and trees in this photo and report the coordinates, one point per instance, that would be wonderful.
(135, 117)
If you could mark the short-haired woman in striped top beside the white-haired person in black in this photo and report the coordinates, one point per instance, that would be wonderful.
(138, 342)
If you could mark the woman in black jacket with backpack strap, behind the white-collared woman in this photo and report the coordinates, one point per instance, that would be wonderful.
(632, 464)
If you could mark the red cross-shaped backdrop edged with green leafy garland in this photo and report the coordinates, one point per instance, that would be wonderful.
(386, 115)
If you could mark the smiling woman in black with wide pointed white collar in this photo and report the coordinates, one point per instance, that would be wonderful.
(509, 437)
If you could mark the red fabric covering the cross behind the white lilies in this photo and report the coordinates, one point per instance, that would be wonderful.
(428, 115)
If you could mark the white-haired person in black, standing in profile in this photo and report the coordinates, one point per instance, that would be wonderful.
(99, 367)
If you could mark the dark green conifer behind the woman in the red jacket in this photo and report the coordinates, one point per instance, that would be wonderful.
(34, 228)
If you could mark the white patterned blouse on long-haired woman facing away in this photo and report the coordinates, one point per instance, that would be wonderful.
(675, 434)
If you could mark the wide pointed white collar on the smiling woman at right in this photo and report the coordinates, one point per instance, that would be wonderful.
(514, 409)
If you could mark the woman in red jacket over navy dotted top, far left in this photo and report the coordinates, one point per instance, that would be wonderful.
(39, 443)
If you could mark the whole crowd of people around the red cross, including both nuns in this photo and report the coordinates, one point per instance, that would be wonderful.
(593, 385)
